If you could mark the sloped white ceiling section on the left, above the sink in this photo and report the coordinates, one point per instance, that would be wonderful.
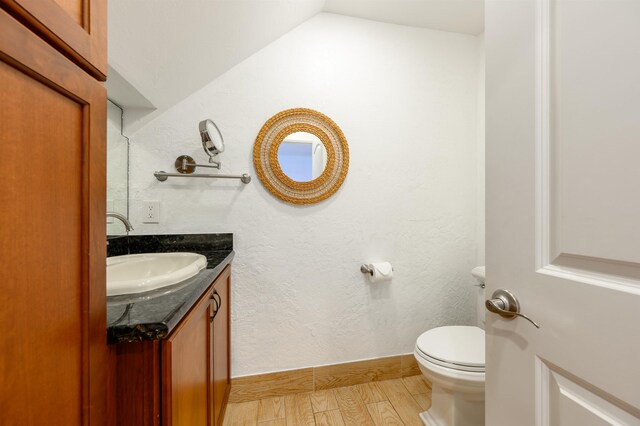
(168, 49)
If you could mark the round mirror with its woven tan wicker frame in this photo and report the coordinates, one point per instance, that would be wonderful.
(301, 156)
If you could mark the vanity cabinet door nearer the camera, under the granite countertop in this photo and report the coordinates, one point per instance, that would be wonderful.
(186, 369)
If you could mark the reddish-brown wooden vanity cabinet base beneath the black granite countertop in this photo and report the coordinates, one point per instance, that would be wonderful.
(183, 380)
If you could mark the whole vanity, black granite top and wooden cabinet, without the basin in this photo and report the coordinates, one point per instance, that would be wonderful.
(170, 349)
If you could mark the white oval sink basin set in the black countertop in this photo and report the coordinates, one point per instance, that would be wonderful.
(137, 273)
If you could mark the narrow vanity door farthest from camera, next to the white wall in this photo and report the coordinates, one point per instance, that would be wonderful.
(221, 347)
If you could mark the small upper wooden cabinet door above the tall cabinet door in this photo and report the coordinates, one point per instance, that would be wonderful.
(77, 28)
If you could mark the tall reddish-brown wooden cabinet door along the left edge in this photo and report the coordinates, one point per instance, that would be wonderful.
(52, 235)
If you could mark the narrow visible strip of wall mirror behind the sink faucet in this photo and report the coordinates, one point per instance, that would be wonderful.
(117, 169)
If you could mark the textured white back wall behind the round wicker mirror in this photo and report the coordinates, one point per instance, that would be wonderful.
(406, 99)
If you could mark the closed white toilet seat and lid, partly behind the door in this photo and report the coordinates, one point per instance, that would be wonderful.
(458, 348)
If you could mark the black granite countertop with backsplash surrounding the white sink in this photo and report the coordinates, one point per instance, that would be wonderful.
(152, 315)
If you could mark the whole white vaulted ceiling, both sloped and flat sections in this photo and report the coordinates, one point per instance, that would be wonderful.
(161, 51)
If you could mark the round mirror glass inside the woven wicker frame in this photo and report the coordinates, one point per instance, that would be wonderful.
(302, 156)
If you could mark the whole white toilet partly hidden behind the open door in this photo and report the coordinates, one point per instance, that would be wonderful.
(452, 359)
